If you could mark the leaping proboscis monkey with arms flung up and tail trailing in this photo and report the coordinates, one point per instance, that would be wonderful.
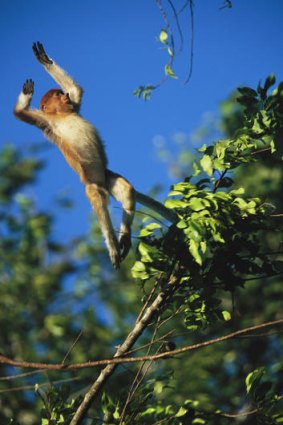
(81, 145)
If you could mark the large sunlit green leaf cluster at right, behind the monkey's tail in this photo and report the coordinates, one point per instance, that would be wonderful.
(215, 219)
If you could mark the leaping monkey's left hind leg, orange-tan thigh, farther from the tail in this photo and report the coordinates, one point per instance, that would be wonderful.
(98, 198)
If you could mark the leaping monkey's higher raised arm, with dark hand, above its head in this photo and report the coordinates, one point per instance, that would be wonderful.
(58, 74)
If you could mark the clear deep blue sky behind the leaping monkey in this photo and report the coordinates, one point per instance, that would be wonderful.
(110, 48)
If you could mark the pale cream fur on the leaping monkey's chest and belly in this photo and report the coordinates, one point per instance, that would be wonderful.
(81, 137)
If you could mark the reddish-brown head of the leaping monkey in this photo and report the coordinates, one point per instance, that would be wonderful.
(55, 101)
